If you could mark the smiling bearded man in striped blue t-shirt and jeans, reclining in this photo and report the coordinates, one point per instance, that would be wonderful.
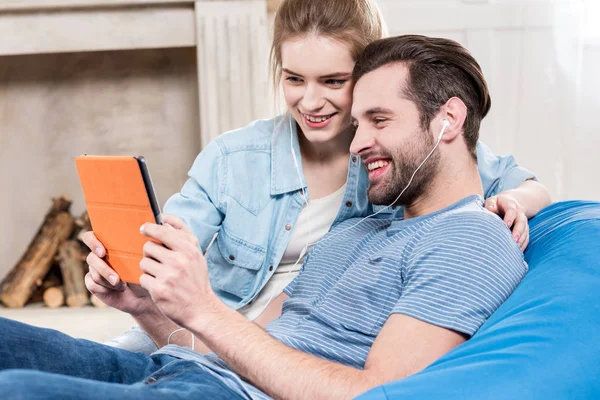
(377, 300)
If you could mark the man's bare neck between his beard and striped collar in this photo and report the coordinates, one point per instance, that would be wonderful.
(449, 186)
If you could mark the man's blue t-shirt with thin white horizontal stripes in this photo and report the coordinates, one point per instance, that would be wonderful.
(452, 268)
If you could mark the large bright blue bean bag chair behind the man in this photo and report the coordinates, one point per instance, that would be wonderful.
(542, 342)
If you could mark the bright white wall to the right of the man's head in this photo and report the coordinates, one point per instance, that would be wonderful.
(541, 59)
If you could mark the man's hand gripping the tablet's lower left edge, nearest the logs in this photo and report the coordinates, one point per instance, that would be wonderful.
(103, 282)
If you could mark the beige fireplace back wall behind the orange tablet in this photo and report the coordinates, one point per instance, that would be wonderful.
(54, 107)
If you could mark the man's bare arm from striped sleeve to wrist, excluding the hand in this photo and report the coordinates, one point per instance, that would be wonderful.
(404, 346)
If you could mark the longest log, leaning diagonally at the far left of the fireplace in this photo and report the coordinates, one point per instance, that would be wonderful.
(20, 283)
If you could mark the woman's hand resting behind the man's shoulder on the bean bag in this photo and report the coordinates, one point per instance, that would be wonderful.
(513, 214)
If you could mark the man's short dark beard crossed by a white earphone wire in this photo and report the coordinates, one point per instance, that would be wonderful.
(405, 160)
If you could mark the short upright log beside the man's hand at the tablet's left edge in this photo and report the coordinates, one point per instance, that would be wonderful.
(71, 258)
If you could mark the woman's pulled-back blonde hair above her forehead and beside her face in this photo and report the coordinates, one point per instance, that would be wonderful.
(353, 22)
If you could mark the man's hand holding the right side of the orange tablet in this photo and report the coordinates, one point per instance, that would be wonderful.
(175, 271)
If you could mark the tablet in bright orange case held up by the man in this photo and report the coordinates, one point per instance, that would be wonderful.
(120, 198)
